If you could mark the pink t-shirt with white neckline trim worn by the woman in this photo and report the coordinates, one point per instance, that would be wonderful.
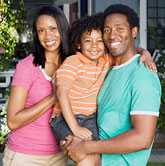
(36, 137)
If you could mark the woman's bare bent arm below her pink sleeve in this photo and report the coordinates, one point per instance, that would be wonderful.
(18, 115)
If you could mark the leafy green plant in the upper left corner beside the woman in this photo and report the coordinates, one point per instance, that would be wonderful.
(10, 22)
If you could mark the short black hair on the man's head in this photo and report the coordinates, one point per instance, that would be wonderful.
(131, 15)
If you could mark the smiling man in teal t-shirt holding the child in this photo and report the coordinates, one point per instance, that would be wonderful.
(129, 101)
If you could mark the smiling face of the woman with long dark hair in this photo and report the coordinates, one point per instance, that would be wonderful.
(48, 33)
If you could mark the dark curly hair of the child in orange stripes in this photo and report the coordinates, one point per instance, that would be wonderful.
(88, 23)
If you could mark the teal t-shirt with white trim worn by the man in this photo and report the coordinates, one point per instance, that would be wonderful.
(129, 89)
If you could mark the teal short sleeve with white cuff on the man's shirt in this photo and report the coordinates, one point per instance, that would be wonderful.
(146, 94)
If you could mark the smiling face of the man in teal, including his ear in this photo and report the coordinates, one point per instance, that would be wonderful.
(118, 35)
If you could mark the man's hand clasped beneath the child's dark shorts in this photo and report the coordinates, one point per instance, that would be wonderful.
(77, 151)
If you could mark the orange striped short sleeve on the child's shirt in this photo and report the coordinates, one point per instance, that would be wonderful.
(67, 73)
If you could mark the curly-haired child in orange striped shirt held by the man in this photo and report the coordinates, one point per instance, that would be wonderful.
(78, 82)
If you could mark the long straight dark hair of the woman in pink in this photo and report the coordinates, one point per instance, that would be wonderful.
(63, 28)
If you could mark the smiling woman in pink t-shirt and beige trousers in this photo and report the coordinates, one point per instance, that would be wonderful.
(31, 141)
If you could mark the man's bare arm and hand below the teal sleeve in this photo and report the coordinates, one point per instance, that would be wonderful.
(138, 138)
